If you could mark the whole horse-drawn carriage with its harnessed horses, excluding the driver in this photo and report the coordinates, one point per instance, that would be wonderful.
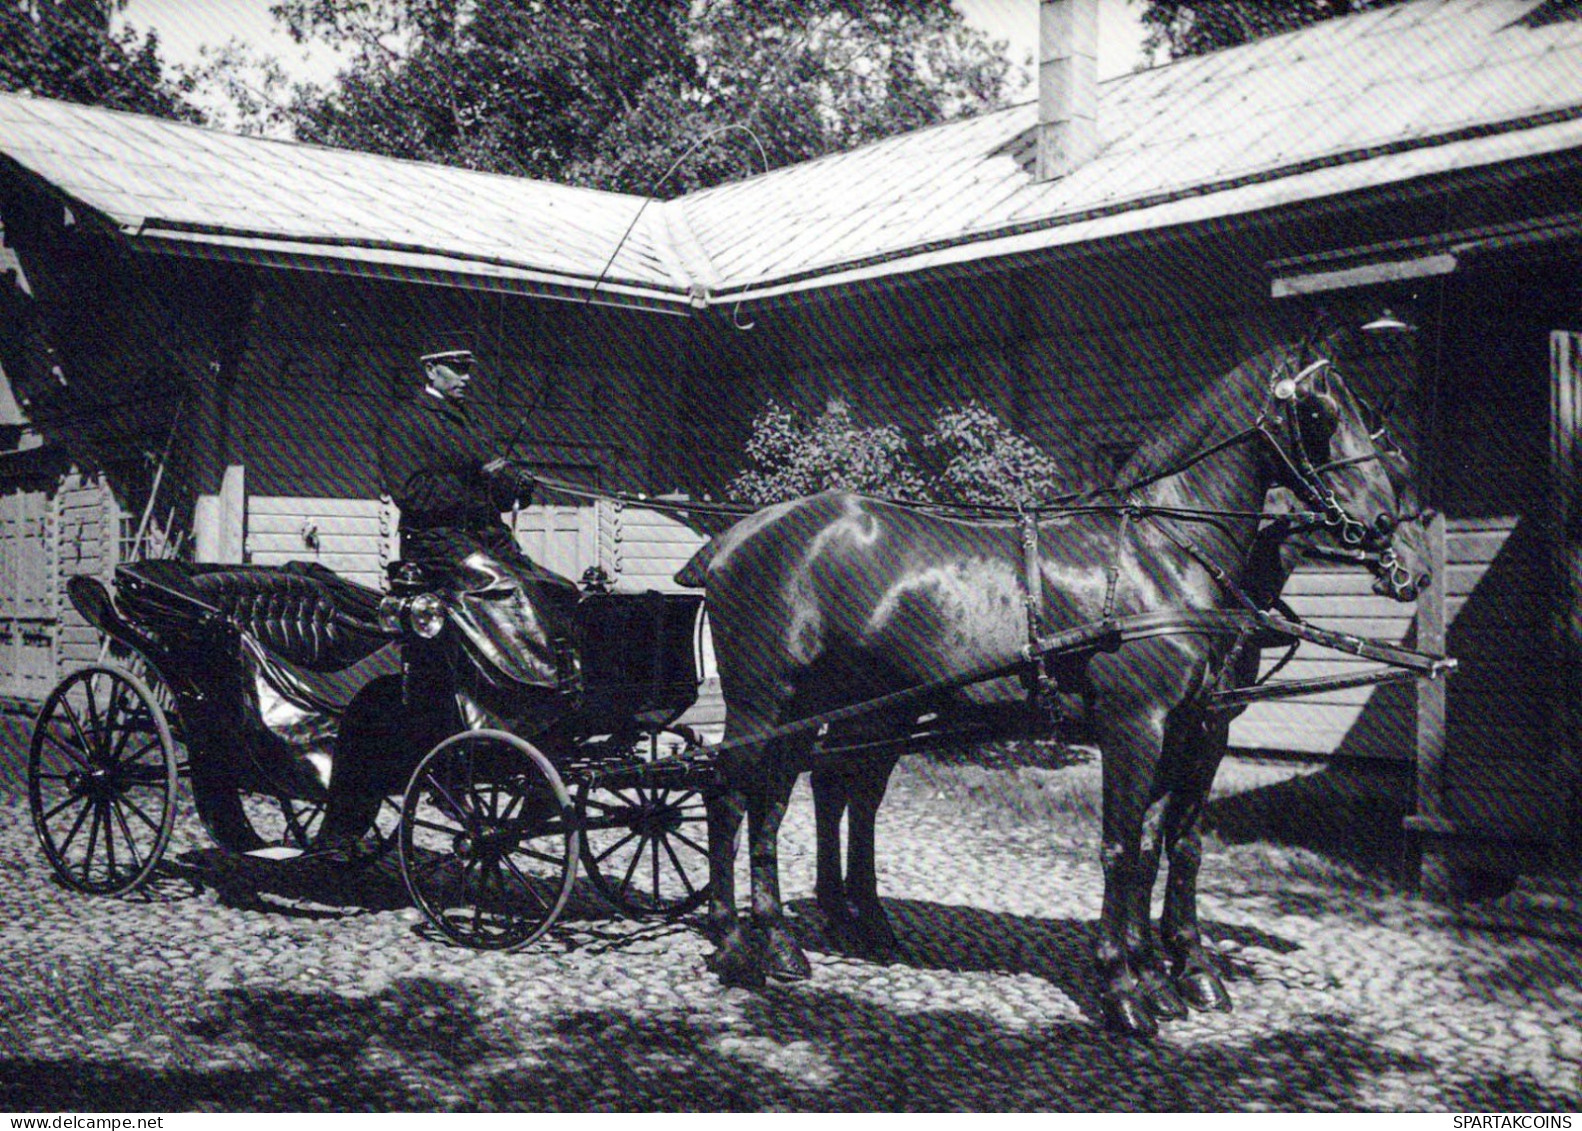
(1149, 600)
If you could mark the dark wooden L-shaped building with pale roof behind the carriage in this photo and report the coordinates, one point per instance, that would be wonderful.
(1078, 265)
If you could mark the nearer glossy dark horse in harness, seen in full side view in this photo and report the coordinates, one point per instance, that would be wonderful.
(839, 600)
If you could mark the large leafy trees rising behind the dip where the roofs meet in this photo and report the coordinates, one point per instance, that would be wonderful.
(611, 93)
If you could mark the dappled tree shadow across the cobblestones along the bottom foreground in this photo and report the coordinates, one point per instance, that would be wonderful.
(430, 1045)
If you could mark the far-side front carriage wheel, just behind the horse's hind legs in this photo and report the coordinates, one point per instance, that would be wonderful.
(646, 847)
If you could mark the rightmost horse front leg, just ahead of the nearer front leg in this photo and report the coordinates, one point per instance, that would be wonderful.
(1192, 970)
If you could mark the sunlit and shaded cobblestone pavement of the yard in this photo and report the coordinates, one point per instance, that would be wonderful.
(267, 988)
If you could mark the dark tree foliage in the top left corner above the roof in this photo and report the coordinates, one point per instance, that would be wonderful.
(67, 50)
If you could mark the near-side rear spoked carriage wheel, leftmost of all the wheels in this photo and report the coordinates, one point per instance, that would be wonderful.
(102, 777)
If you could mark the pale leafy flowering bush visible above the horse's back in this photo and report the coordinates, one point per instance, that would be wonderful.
(964, 456)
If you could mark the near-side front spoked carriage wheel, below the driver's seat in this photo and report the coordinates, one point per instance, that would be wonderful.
(488, 841)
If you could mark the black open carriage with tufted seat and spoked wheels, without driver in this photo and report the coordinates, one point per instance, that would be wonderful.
(262, 684)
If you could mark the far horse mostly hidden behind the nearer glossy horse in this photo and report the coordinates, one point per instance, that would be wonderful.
(847, 895)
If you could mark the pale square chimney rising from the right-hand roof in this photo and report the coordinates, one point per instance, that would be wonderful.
(1067, 86)
